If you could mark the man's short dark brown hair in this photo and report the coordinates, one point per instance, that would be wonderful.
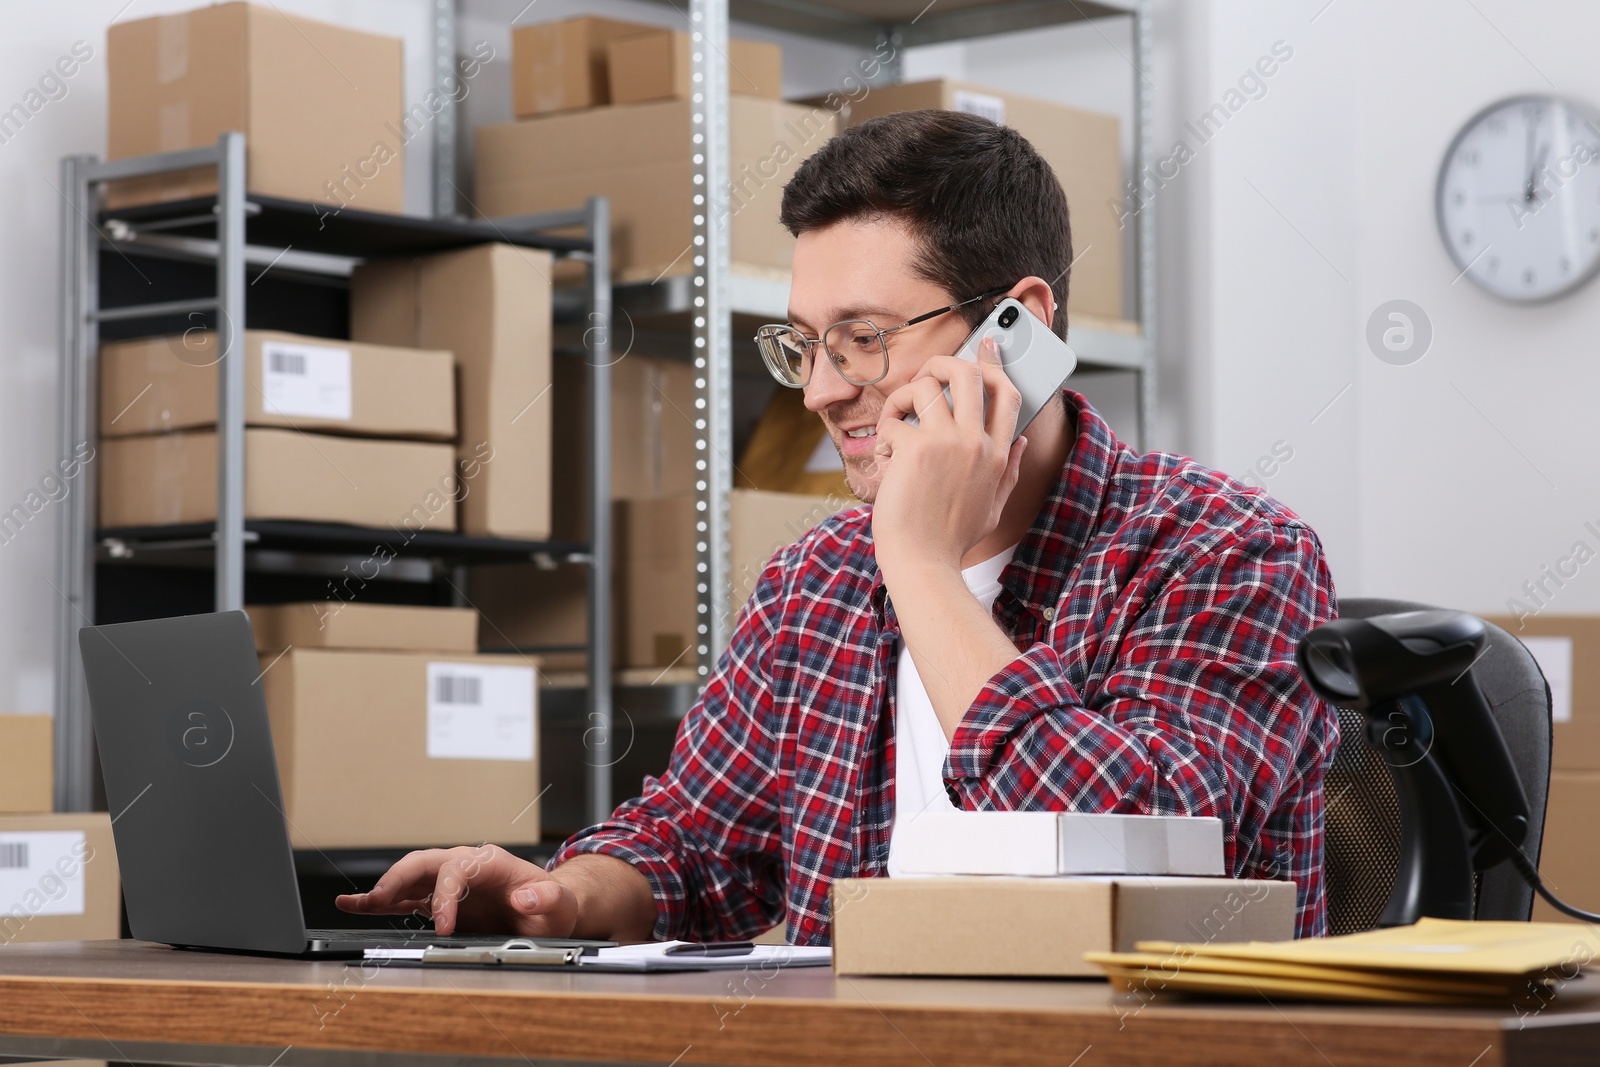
(985, 206)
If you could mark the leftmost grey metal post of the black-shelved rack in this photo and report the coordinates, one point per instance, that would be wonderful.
(76, 562)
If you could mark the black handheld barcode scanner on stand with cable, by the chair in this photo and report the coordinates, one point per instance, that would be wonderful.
(1463, 807)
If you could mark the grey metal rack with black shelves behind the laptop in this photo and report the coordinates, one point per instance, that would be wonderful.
(194, 258)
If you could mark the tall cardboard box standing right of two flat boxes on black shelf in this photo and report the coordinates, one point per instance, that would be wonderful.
(490, 306)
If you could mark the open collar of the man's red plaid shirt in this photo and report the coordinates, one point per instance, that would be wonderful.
(1066, 524)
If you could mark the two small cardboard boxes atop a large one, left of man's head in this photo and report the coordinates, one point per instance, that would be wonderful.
(604, 110)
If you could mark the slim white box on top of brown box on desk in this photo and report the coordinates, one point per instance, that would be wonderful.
(1058, 844)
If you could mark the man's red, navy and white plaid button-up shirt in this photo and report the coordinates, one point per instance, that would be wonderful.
(1156, 607)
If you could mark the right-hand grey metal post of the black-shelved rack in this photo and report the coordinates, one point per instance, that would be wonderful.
(601, 754)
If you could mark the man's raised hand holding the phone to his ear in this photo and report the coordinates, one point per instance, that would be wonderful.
(948, 478)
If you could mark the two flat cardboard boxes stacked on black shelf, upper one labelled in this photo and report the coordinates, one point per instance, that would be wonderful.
(335, 431)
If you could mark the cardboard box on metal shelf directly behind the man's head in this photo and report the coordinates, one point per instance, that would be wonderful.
(1086, 151)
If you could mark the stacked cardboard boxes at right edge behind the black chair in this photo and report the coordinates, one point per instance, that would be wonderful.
(1569, 653)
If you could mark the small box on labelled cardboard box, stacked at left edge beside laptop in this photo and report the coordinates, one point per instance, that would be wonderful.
(58, 873)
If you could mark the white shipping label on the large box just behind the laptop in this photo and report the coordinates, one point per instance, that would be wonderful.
(479, 713)
